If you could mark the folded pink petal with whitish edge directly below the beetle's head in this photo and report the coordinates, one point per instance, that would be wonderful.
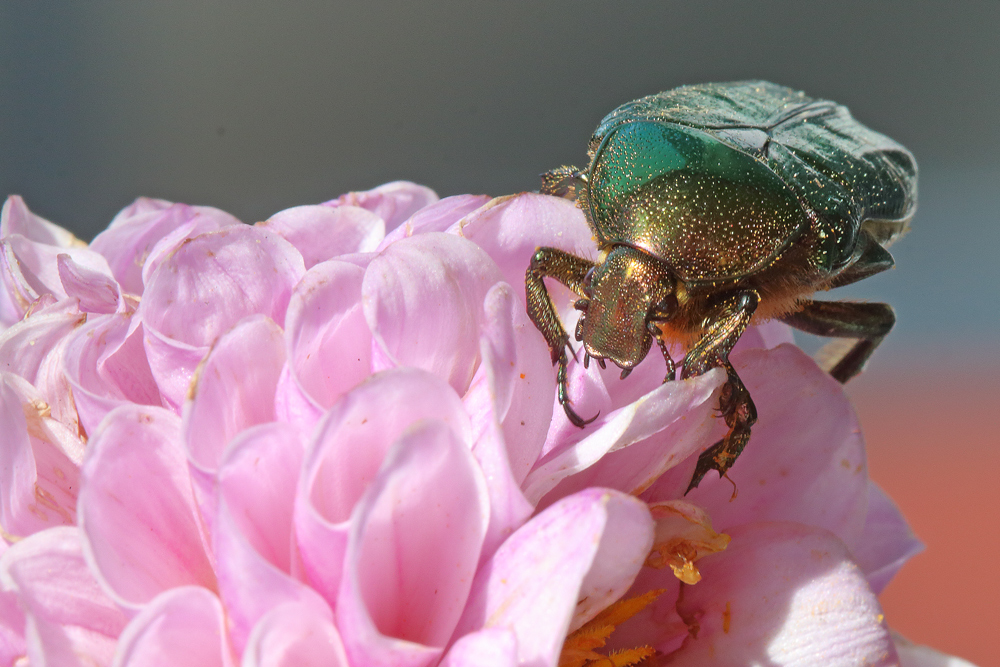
(686, 403)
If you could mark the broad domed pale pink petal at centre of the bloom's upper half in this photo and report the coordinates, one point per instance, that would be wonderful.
(423, 300)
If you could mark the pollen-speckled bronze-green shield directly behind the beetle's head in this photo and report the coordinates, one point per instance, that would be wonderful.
(709, 211)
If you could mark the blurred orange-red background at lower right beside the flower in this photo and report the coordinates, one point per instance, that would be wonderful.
(934, 446)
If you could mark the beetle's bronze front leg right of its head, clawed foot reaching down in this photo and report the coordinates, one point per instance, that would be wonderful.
(729, 320)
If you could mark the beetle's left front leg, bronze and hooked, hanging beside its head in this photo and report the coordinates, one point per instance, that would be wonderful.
(571, 271)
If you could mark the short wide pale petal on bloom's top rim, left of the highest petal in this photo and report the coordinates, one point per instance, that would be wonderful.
(323, 232)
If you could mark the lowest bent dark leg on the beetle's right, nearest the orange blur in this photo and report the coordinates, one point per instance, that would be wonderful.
(869, 323)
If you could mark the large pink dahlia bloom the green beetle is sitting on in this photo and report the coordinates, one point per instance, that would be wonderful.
(332, 438)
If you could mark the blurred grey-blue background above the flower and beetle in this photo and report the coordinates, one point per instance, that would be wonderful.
(258, 106)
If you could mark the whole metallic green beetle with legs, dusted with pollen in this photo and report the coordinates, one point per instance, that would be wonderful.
(716, 205)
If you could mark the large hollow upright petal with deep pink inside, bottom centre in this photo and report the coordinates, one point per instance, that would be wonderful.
(413, 550)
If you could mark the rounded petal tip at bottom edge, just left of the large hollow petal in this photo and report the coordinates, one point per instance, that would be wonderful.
(295, 635)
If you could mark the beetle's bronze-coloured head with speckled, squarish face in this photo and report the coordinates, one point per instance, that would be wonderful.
(626, 292)
